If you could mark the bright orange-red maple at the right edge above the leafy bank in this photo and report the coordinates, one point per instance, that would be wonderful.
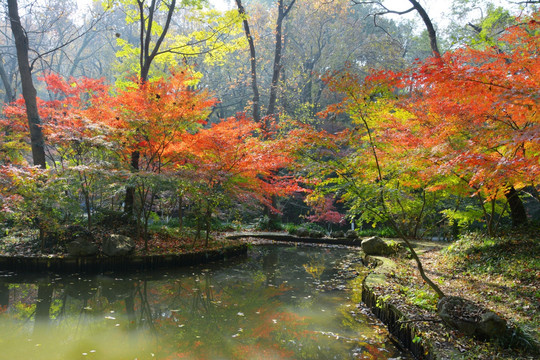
(476, 111)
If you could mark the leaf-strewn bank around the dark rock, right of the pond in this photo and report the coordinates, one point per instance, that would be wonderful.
(502, 274)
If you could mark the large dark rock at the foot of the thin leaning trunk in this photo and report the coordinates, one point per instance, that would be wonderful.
(471, 319)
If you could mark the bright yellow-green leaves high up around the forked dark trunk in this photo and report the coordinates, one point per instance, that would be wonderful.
(212, 36)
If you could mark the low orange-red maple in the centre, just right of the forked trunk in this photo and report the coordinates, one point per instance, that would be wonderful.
(235, 161)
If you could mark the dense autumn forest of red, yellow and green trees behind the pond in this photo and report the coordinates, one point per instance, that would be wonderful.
(270, 114)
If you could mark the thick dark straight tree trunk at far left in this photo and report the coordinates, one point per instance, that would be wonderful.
(29, 92)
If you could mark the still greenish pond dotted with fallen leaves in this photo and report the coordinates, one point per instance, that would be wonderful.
(281, 302)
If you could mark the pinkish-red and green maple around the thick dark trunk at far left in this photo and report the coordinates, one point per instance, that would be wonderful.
(75, 148)
